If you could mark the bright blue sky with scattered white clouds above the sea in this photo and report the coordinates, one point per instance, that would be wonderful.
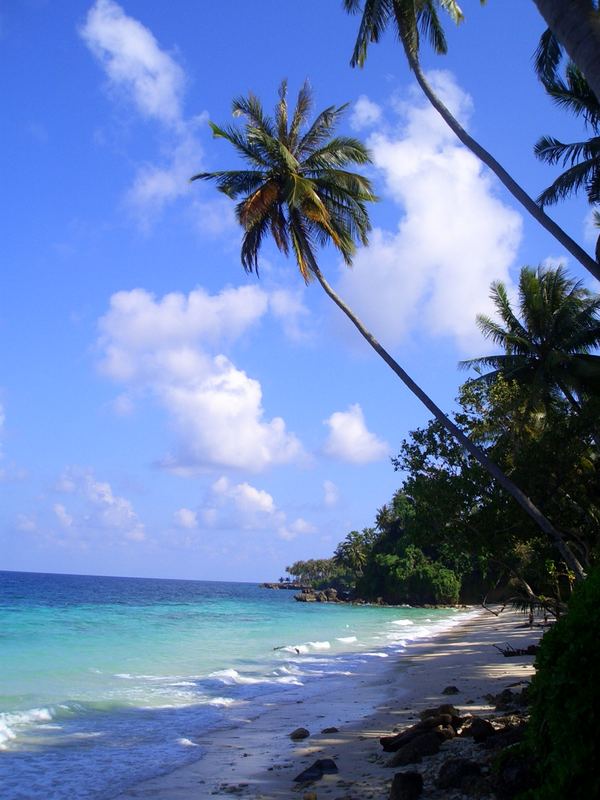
(163, 414)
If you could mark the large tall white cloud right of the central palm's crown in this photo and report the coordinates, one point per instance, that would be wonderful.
(454, 236)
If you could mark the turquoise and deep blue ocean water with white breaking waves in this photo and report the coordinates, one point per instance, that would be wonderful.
(105, 682)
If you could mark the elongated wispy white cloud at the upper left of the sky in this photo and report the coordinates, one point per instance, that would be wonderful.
(133, 61)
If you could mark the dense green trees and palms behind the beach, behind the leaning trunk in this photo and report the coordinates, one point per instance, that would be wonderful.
(450, 533)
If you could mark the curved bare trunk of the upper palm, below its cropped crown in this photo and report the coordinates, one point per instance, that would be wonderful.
(513, 187)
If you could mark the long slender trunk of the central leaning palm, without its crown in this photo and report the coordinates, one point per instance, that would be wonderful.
(521, 498)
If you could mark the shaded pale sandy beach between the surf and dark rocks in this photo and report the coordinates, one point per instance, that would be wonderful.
(257, 758)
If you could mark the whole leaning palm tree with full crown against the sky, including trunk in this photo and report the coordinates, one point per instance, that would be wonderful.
(298, 189)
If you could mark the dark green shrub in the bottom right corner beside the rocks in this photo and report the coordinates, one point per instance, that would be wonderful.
(565, 696)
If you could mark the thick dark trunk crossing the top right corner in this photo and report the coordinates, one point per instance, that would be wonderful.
(576, 25)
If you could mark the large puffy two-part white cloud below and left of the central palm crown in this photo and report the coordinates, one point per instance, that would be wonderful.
(167, 347)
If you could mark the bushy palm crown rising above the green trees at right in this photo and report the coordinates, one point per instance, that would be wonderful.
(548, 347)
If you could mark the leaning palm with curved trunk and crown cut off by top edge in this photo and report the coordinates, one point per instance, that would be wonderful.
(411, 18)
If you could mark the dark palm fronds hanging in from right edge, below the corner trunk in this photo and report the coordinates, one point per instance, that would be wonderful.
(582, 158)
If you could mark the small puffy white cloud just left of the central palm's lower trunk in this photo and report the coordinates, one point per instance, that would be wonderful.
(349, 440)
